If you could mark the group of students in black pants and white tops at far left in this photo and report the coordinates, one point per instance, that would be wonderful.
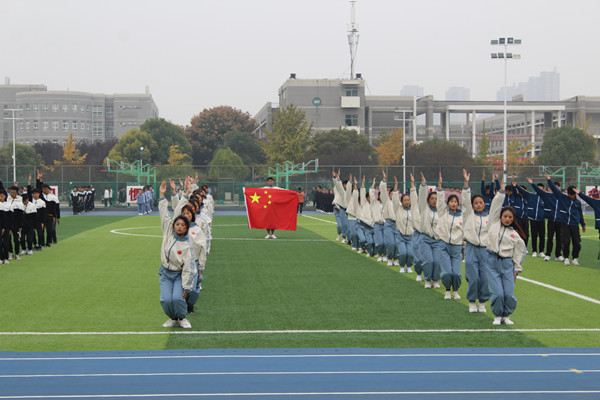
(27, 219)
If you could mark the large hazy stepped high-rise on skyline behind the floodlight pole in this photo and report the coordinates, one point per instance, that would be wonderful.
(545, 87)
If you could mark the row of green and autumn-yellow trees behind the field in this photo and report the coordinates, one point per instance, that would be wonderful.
(224, 136)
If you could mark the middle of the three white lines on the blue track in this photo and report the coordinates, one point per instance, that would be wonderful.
(373, 372)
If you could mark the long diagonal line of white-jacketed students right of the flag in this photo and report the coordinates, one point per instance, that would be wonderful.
(427, 231)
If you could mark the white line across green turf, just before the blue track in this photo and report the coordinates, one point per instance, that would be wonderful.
(302, 331)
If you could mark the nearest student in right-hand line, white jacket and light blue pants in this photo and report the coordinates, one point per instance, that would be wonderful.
(507, 251)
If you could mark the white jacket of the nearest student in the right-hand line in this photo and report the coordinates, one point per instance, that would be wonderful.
(504, 241)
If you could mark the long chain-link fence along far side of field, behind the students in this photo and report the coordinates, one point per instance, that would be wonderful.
(227, 182)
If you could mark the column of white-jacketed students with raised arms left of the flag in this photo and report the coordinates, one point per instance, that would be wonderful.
(187, 237)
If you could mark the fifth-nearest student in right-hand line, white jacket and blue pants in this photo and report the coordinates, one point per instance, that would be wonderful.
(404, 224)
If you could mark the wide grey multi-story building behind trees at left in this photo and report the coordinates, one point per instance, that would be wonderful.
(50, 116)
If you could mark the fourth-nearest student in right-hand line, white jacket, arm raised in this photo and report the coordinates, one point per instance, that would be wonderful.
(430, 247)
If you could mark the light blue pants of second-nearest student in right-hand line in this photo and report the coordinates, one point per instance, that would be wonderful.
(476, 258)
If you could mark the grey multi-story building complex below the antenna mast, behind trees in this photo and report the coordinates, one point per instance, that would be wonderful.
(342, 103)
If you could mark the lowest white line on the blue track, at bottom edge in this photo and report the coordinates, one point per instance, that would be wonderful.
(264, 394)
